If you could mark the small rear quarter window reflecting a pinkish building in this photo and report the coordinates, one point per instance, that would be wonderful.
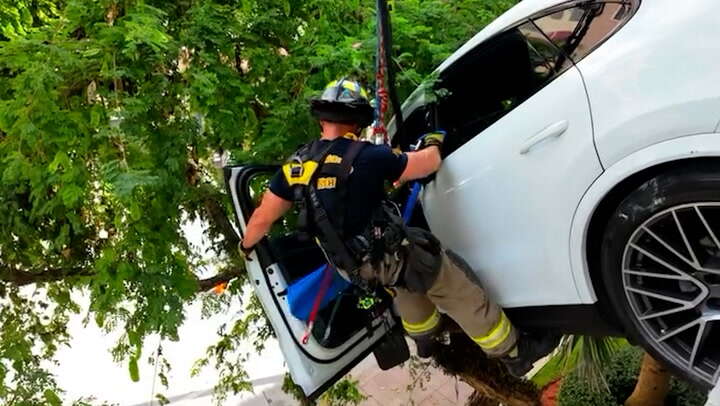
(580, 29)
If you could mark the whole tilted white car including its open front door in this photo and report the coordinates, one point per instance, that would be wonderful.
(581, 182)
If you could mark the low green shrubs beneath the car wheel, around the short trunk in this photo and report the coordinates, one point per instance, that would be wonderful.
(621, 375)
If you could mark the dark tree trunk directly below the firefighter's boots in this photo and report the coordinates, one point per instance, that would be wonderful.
(491, 381)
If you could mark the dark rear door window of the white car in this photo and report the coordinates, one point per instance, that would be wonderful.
(493, 79)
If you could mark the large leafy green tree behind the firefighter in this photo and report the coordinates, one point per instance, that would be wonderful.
(111, 113)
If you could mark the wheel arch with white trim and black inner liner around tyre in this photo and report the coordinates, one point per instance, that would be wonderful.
(606, 193)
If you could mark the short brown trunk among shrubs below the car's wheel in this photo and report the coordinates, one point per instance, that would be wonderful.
(652, 386)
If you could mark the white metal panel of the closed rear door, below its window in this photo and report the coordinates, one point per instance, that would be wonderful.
(508, 213)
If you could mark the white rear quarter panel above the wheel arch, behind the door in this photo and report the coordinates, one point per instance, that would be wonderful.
(656, 79)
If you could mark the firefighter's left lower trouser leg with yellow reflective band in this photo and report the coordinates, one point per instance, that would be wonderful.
(420, 318)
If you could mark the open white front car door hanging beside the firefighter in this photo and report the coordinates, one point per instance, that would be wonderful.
(344, 332)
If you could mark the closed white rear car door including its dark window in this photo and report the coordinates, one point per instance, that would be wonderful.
(520, 155)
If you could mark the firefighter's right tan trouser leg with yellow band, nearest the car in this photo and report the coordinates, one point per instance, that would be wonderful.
(467, 303)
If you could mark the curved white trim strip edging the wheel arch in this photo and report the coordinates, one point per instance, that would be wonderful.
(694, 146)
